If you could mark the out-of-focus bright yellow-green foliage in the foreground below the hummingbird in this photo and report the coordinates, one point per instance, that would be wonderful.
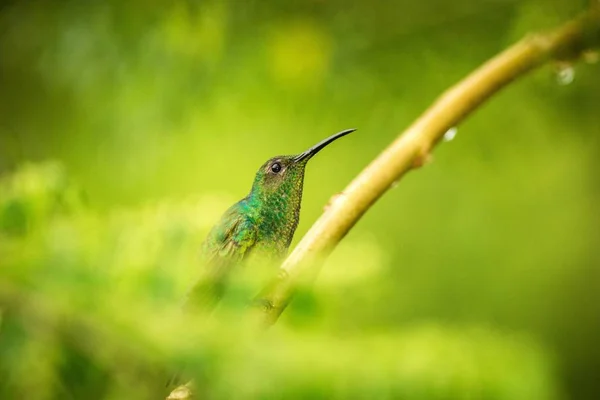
(90, 311)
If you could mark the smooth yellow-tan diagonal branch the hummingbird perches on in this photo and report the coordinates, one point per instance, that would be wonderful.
(412, 148)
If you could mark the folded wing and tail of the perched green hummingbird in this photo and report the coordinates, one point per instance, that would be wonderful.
(226, 245)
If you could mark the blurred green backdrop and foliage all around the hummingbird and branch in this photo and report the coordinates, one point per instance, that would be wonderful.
(126, 128)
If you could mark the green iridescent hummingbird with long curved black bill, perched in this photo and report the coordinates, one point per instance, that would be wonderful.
(263, 222)
